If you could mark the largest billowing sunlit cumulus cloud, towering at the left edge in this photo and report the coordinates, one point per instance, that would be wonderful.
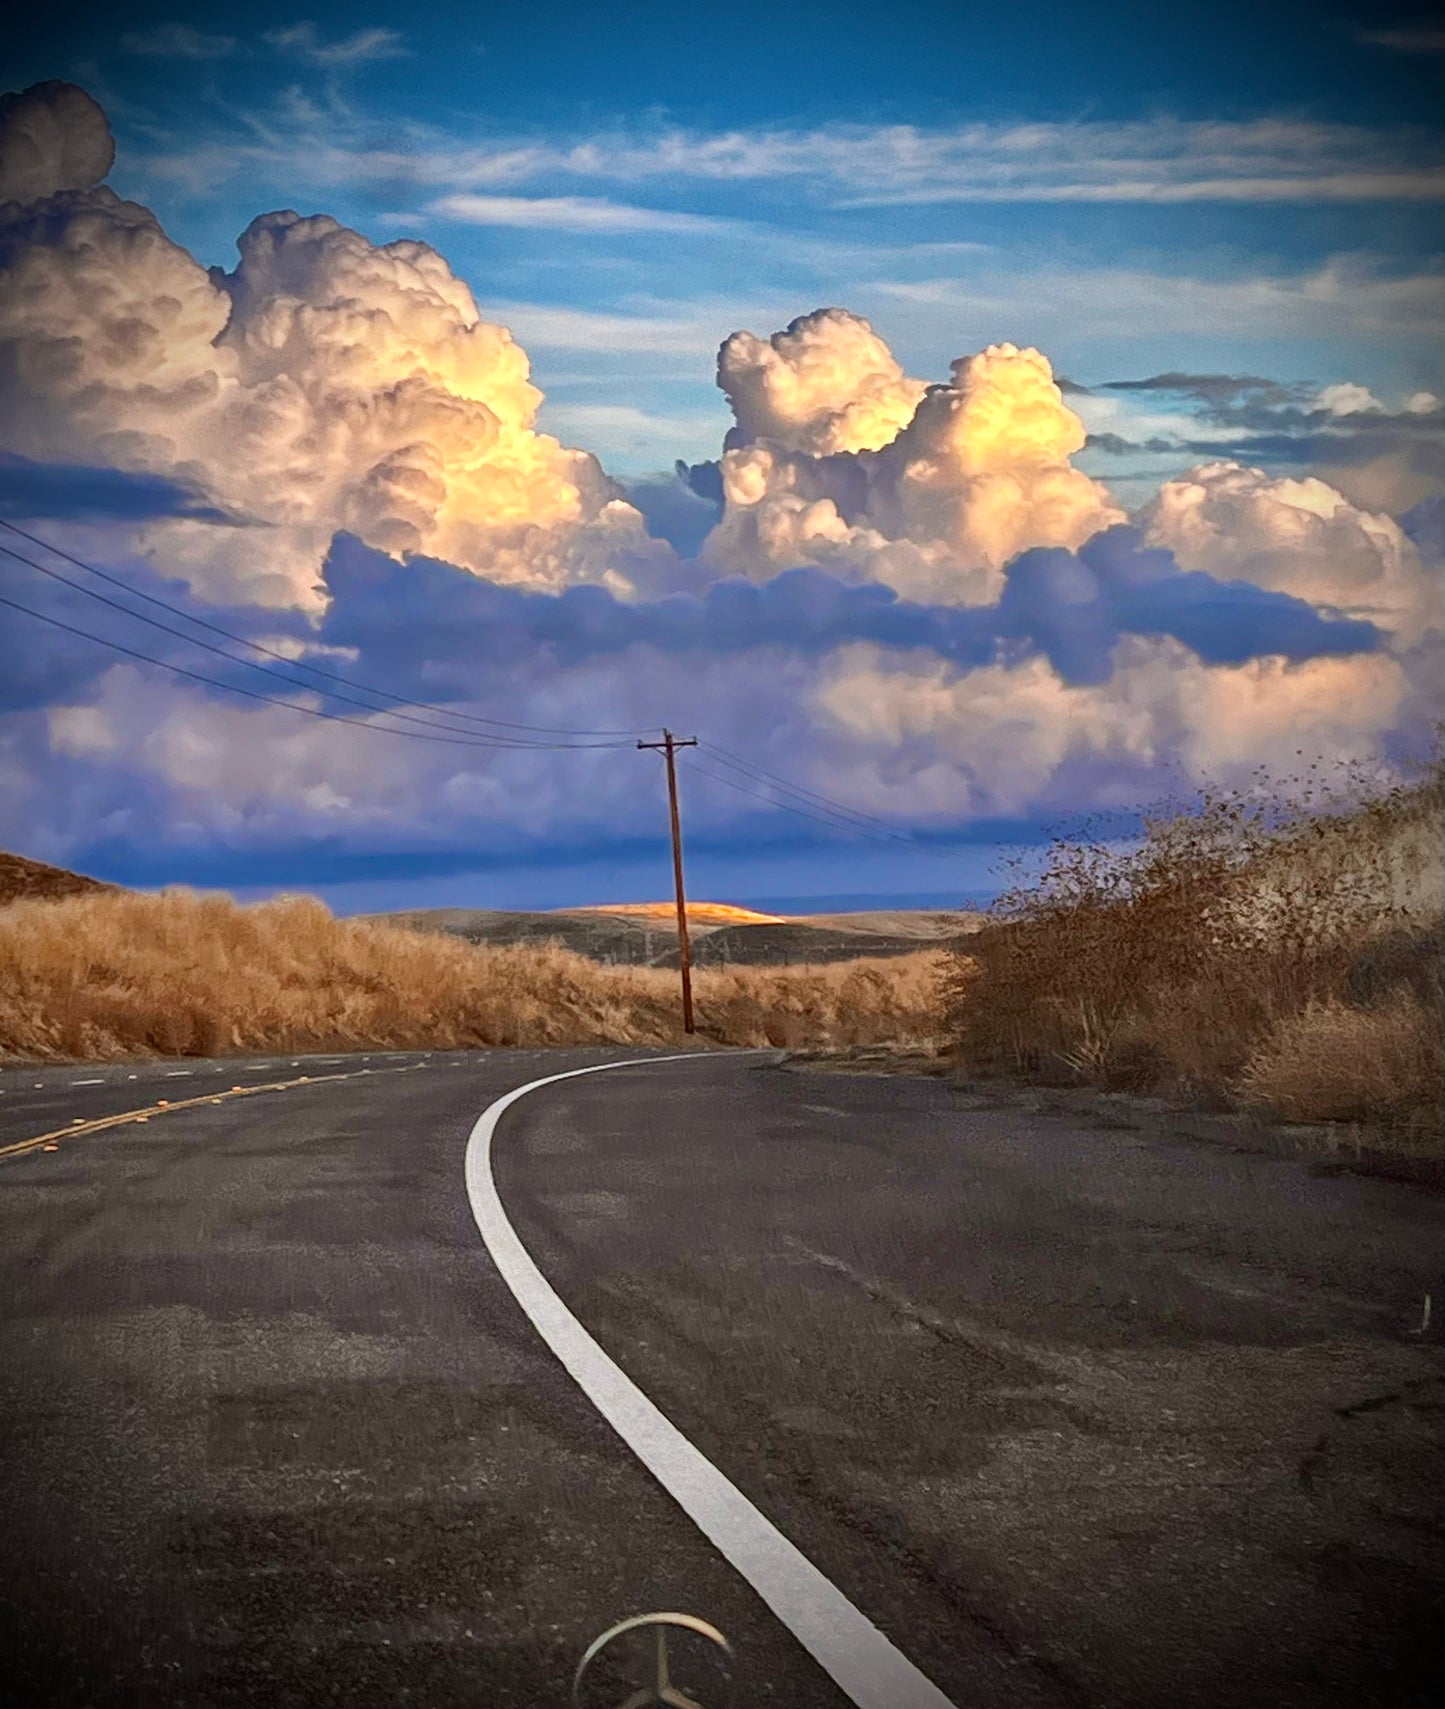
(324, 384)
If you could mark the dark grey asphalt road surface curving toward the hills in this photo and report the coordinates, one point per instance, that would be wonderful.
(1075, 1414)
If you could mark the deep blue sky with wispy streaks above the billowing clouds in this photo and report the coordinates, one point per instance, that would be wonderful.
(1231, 191)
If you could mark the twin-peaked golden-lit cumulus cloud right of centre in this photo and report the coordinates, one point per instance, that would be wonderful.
(838, 459)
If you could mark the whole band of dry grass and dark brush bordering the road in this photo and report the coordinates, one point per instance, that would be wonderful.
(1280, 953)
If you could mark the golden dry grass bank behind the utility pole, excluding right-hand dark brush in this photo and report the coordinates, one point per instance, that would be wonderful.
(119, 975)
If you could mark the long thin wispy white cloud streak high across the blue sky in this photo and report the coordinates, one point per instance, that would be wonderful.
(1164, 160)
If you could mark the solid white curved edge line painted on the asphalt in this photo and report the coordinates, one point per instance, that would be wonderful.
(862, 1660)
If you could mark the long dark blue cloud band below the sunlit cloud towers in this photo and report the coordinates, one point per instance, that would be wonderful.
(435, 628)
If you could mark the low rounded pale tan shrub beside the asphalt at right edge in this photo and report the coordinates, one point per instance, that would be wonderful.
(1340, 1064)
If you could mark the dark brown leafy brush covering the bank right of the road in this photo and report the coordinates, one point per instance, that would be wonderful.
(1275, 951)
